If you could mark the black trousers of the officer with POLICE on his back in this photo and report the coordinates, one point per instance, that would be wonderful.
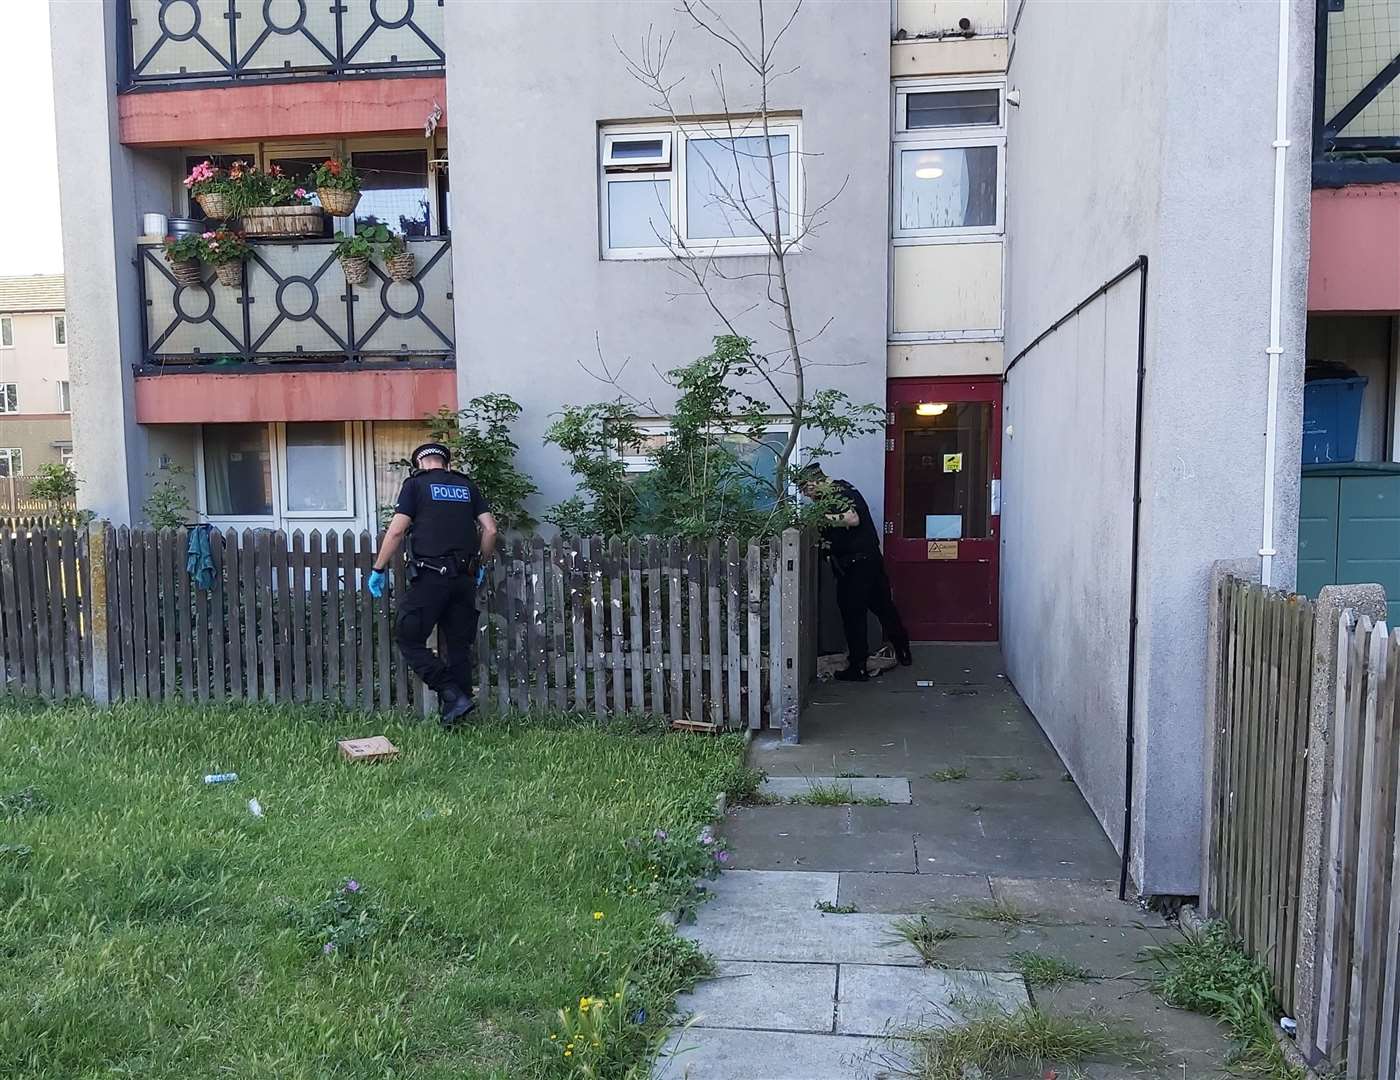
(450, 606)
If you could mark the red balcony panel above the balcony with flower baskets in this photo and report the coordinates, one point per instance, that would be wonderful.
(253, 113)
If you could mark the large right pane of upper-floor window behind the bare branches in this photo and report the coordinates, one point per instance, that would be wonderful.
(727, 183)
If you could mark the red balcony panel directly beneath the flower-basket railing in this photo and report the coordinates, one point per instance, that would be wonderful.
(295, 396)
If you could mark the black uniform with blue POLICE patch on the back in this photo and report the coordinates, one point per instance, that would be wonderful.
(444, 555)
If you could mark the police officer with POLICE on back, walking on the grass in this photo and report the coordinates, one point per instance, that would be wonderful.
(450, 530)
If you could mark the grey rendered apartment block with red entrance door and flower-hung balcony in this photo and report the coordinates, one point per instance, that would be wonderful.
(958, 174)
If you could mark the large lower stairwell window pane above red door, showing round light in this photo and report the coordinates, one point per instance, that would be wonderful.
(948, 188)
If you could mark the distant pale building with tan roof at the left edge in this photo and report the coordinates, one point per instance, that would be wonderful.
(34, 379)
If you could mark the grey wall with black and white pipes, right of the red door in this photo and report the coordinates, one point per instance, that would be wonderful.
(1139, 123)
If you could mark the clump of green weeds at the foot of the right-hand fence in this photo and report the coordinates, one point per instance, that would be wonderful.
(1209, 973)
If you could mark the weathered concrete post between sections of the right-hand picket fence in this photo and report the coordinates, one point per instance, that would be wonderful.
(1332, 602)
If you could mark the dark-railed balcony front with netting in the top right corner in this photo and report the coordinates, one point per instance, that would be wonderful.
(1357, 95)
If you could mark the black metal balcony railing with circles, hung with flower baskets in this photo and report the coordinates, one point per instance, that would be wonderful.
(295, 307)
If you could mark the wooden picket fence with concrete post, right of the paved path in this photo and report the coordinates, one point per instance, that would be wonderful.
(1301, 840)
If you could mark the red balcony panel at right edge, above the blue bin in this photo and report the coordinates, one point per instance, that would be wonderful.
(1356, 249)
